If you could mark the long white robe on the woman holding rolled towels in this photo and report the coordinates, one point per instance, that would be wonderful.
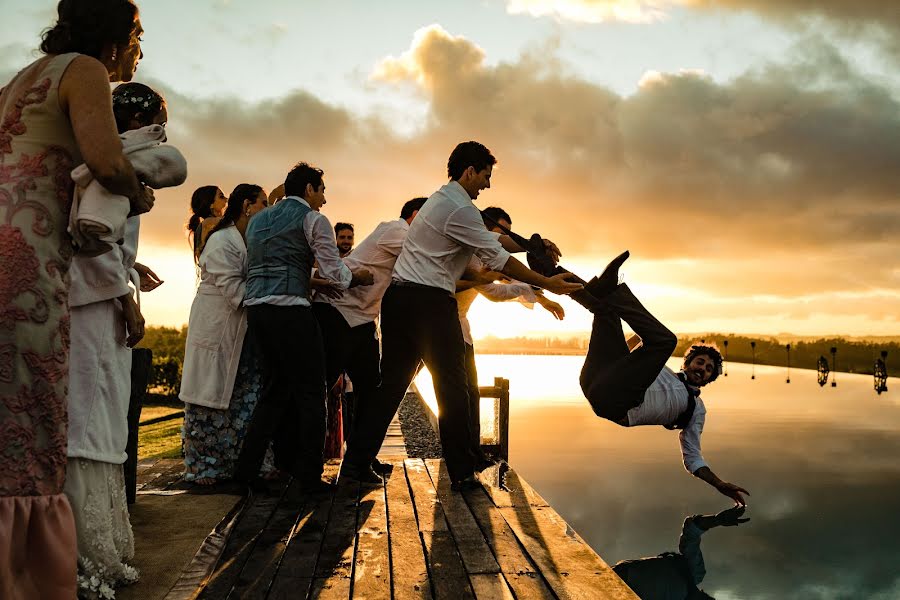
(99, 360)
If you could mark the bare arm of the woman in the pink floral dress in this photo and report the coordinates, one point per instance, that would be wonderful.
(84, 96)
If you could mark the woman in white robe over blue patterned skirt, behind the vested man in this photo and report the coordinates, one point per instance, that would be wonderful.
(220, 379)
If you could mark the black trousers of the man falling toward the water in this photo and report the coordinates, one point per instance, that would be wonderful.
(614, 379)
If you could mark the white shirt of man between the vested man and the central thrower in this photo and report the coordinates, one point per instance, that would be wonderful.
(377, 253)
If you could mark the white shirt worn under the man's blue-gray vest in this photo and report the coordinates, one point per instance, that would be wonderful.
(320, 236)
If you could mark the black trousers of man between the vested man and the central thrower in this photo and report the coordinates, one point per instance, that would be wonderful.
(351, 349)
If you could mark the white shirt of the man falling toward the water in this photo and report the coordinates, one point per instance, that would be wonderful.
(664, 401)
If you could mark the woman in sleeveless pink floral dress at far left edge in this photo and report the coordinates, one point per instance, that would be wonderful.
(54, 114)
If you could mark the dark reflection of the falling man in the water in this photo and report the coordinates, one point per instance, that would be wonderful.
(677, 575)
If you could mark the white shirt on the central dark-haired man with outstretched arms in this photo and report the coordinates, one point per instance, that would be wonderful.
(442, 238)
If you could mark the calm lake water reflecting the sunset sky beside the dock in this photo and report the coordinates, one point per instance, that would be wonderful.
(821, 465)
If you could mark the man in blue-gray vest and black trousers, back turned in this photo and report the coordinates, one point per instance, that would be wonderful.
(282, 244)
